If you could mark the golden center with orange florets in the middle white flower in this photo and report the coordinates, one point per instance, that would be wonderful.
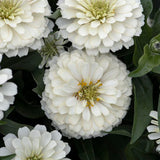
(89, 92)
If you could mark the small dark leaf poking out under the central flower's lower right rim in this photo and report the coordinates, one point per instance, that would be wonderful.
(122, 130)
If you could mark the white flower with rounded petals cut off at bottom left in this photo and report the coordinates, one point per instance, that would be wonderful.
(35, 144)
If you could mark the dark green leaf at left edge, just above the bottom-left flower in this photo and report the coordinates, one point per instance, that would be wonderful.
(11, 127)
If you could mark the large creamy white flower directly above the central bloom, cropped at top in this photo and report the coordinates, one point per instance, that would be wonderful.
(100, 25)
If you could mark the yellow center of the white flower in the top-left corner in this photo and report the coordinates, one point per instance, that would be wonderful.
(9, 9)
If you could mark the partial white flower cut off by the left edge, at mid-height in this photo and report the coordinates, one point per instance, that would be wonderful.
(7, 90)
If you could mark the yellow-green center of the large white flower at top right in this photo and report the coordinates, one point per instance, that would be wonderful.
(100, 9)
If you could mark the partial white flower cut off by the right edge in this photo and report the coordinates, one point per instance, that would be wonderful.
(153, 129)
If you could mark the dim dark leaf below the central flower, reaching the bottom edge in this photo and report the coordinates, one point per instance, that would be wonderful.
(85, 150)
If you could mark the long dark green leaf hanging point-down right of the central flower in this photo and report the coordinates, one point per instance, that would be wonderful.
(143, 104)
